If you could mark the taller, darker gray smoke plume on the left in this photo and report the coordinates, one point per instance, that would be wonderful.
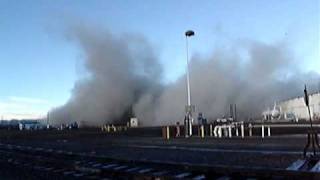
(121, 70)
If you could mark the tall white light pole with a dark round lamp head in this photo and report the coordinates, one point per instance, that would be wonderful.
(189, 108)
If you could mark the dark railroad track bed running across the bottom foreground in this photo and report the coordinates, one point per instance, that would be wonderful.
(43, 163)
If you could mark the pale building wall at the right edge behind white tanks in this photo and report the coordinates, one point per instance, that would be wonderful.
(298, 108)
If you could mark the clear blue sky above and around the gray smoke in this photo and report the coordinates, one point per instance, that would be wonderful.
(39, 66)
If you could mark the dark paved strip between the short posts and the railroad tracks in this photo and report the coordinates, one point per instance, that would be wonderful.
(270, 152)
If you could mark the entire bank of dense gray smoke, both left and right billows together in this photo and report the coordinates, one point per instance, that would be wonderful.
(123, 80)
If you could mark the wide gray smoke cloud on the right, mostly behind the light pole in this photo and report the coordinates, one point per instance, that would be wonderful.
(252, 77)
